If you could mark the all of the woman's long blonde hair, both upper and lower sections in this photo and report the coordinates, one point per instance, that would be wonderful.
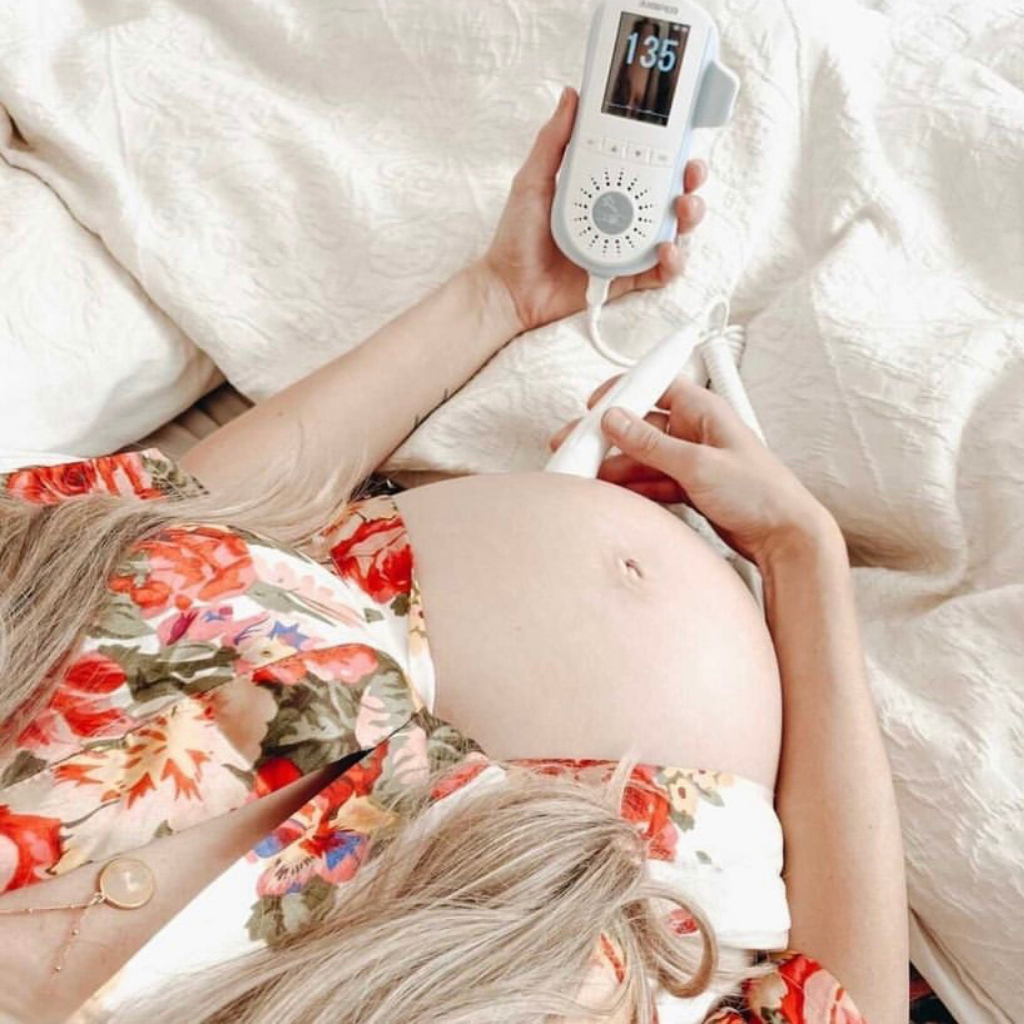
(490, 913)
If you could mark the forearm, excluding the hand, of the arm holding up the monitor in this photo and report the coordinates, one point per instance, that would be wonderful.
(357, 410)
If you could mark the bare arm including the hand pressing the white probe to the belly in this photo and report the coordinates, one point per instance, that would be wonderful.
(844, 856)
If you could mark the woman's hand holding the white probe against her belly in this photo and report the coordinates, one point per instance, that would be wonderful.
(695, 449)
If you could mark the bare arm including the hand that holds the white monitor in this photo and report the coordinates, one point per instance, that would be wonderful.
(357, 410)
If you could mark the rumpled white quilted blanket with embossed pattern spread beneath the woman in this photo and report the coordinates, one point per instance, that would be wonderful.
(283, 177)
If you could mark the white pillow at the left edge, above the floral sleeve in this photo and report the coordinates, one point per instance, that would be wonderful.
(88, 364)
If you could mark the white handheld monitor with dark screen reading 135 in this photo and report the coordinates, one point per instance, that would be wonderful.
(652, 76)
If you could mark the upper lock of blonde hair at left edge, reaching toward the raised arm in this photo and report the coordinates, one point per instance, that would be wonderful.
(56, 560)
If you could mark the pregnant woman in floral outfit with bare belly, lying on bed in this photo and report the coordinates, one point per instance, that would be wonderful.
(504, 749)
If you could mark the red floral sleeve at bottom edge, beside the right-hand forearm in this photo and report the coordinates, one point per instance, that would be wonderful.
(800, 991)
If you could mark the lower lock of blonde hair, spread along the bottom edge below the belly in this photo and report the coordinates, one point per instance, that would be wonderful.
(489, 912)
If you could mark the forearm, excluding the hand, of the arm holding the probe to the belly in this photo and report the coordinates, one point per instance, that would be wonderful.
(844, 855)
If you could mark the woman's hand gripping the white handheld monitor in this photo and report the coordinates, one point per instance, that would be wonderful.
(543, 285)
